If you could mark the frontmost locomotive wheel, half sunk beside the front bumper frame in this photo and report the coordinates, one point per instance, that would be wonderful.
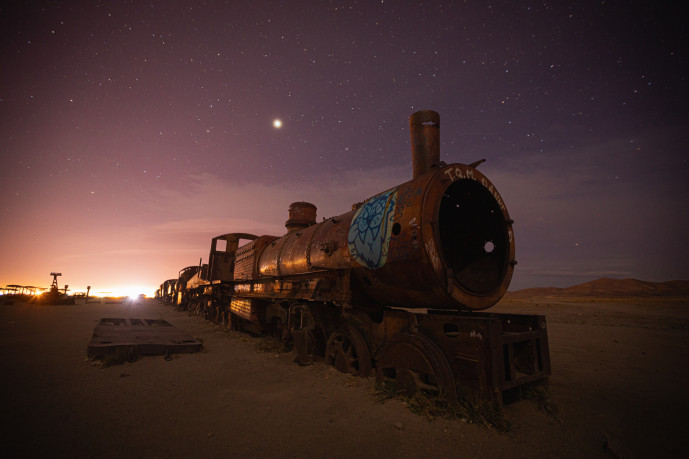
(416, 363)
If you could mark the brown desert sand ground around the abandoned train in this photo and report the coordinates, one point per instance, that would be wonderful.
(619, 386)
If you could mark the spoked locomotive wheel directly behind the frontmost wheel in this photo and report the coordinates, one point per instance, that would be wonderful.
(346, 350)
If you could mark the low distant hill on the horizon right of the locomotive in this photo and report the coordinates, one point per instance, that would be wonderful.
(606, 287)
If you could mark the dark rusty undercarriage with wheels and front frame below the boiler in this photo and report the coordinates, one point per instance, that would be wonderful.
(456, 355)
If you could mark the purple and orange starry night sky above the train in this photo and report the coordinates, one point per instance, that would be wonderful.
(132, 132)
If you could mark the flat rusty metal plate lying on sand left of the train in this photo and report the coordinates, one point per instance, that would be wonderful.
(139, 337)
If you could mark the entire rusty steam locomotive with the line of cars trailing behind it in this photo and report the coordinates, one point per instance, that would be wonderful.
(395, 286)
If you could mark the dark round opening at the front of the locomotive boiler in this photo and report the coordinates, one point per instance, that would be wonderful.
(473, 236)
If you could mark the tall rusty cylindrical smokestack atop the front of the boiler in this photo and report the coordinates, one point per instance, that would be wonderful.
(424, 130)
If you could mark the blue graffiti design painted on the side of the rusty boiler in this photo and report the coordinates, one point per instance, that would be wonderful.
(369, 233)
